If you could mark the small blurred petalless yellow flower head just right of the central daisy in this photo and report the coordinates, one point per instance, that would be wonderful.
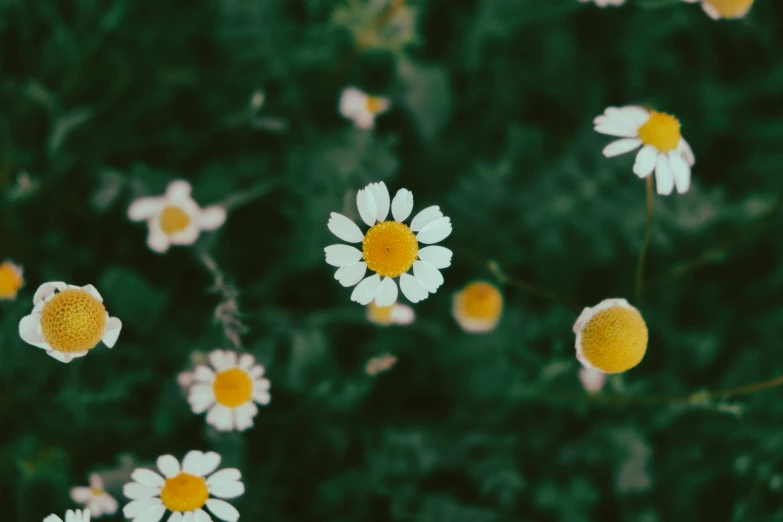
(478, 307)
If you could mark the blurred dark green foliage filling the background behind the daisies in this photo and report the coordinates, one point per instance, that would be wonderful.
(104, 101)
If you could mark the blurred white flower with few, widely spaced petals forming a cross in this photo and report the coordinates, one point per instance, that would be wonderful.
(175, 218)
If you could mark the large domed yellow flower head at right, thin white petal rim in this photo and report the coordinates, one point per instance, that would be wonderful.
(611, 336)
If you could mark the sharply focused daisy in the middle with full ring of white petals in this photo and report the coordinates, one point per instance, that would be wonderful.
(390, 248)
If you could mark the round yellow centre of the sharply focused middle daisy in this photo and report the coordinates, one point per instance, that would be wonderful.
(390, 248)
